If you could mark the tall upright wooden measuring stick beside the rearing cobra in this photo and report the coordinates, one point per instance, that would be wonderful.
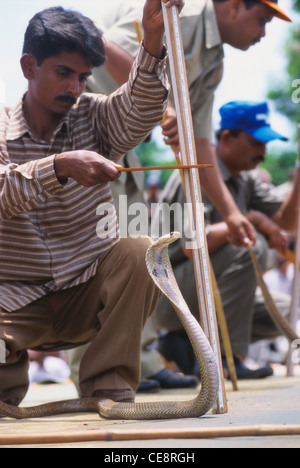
(193, 192)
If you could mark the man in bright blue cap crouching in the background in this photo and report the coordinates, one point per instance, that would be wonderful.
(241, 147)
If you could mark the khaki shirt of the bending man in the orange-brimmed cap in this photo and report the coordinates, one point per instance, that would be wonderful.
(202, 47)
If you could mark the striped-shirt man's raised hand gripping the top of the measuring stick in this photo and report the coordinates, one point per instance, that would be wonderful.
(153, 23)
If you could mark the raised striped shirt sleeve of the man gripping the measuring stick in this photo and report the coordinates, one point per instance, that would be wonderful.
(129, 115)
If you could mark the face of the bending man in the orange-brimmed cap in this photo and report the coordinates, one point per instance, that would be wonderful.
(249, 26)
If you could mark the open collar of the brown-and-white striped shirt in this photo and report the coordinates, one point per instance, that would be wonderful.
(18, 125)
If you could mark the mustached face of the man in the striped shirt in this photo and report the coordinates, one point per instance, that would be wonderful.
(59, 81)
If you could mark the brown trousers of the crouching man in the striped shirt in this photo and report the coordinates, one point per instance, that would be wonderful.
(109, 311)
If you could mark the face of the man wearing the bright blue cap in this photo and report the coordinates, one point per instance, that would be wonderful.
(243, 153)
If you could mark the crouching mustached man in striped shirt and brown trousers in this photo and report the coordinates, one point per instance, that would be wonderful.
(61, 285)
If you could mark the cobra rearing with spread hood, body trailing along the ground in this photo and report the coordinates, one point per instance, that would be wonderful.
(160, 269)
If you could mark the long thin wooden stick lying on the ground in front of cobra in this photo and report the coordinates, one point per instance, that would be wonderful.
(155, 434)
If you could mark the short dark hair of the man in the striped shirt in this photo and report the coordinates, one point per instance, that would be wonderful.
(54, 30)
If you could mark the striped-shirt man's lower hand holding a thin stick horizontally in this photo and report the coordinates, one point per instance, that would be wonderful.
(86, 167)
